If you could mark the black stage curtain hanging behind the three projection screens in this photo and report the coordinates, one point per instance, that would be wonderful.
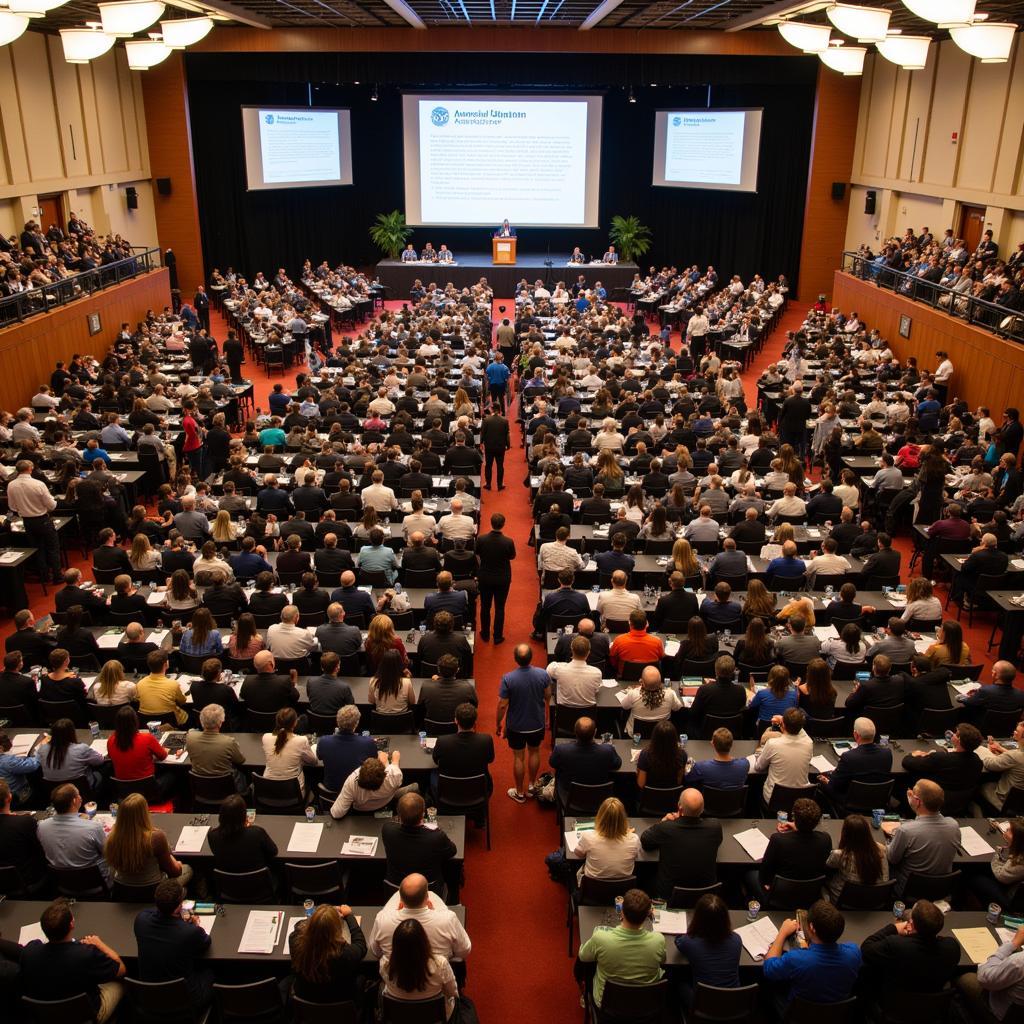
(738, 233)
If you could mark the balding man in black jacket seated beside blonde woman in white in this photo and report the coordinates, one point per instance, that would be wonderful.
(688, 846)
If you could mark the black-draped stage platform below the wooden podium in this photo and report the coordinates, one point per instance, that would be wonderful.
(399, 277)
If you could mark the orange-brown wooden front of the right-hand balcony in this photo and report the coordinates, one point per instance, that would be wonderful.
(989, 371)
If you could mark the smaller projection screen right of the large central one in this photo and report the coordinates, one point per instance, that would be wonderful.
(707, 150)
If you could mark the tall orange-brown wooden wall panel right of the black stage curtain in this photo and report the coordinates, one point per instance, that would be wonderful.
(836, 110)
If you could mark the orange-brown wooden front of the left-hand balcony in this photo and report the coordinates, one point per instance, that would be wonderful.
(29, 351)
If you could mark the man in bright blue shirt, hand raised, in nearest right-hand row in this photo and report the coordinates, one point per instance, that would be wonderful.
(825, 971)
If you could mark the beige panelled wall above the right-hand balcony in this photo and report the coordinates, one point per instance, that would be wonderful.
(907, 153)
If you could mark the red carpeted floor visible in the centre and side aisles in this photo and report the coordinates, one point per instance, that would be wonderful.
(516, 915)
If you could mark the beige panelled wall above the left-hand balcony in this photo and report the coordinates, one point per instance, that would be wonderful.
(74, 130)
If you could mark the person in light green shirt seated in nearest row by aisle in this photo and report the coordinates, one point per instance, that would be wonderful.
(629, 953)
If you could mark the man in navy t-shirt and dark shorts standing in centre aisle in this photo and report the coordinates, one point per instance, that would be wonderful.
(523, 707)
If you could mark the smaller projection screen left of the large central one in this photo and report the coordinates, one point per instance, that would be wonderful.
(297, 148)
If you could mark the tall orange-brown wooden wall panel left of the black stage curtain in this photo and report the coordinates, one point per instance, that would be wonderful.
(170, 157)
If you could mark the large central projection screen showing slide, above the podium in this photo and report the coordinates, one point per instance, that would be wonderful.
(479, 160)
